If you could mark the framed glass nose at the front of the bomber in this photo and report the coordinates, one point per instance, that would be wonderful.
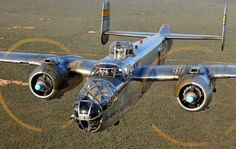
(91, 103)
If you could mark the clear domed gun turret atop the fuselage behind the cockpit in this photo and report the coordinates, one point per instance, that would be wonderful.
(122, 49)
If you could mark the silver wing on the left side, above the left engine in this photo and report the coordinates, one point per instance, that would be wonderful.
(73, 63)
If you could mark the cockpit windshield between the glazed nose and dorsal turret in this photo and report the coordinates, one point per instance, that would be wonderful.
(107, 70)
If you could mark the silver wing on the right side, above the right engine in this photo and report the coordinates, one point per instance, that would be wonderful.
(175, 72)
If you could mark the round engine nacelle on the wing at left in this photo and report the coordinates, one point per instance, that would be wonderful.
(50, 82)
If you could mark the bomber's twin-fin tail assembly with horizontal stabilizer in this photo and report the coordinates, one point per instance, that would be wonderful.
(164, 30)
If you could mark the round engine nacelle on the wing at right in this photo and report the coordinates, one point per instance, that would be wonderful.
(194, 92)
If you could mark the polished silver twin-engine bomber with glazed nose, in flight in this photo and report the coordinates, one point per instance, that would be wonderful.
(116, 82)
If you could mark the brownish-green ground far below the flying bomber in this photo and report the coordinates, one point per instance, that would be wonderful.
(156, 121)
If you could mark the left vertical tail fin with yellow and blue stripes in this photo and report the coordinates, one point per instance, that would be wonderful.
(105, 24)
